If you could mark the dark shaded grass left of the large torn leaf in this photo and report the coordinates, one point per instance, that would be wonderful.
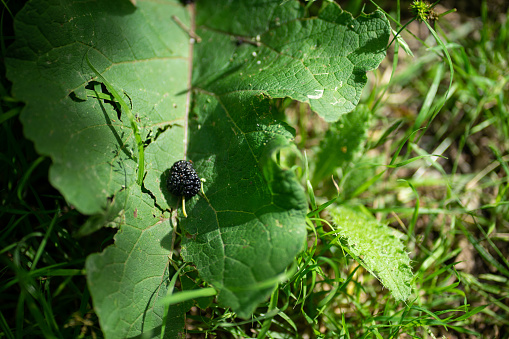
(43, 288)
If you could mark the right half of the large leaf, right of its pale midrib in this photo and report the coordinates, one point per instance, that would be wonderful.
(250, 225)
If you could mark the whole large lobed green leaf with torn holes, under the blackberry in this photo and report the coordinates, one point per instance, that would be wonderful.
(249, 225)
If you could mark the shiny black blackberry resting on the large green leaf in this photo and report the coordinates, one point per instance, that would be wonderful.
(183, 180)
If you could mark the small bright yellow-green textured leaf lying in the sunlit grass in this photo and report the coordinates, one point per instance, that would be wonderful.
(377, 248)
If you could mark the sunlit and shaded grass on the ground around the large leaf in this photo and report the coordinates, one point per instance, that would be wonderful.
(452, 211)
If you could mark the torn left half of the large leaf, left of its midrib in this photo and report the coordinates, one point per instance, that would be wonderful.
(144, 55)
